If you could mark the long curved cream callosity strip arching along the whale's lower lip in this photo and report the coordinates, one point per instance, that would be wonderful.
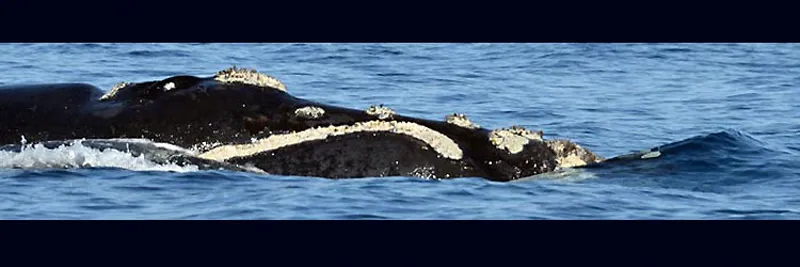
(438, 141)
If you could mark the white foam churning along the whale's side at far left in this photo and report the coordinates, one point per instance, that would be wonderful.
(76, 155)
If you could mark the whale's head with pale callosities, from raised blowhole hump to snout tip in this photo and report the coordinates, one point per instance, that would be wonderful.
(246, 117)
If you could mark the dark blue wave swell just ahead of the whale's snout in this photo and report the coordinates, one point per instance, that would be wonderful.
(715, 162)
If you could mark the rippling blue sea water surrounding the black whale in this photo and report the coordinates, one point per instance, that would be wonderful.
(726, 113)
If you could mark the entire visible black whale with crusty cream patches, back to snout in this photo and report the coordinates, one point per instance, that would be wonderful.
(242, 117)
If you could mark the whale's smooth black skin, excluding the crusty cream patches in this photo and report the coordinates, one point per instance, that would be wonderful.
(190, 111)
